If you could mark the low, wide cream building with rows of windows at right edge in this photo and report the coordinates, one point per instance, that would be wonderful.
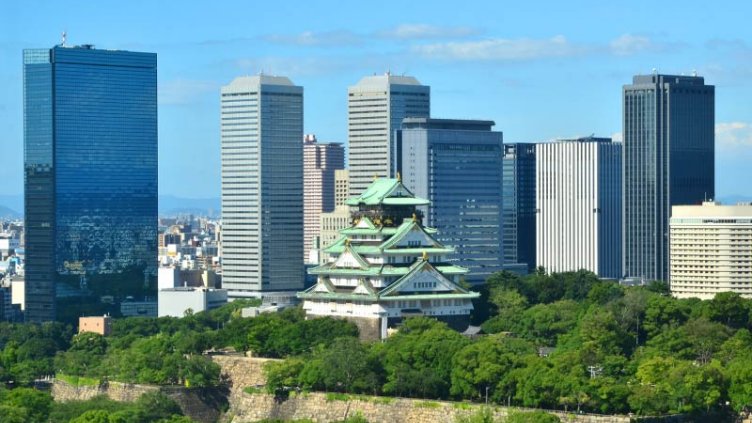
(711, 250)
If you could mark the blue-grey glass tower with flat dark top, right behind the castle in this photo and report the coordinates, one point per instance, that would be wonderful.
(456, 165)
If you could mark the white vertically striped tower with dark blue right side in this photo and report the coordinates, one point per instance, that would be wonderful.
(578, 196)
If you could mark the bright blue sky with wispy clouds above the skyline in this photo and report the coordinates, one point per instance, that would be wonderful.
(541, 70)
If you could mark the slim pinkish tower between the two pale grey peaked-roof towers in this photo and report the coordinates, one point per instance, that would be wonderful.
(320, 162)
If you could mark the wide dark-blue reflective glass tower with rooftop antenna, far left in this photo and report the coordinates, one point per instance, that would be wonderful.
(90, 179)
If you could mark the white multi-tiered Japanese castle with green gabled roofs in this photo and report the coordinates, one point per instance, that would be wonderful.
(387, 266)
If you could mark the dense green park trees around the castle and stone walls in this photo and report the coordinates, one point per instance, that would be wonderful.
(564, 341)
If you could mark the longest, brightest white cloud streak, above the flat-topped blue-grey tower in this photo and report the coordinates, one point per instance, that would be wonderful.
(501, 49)
